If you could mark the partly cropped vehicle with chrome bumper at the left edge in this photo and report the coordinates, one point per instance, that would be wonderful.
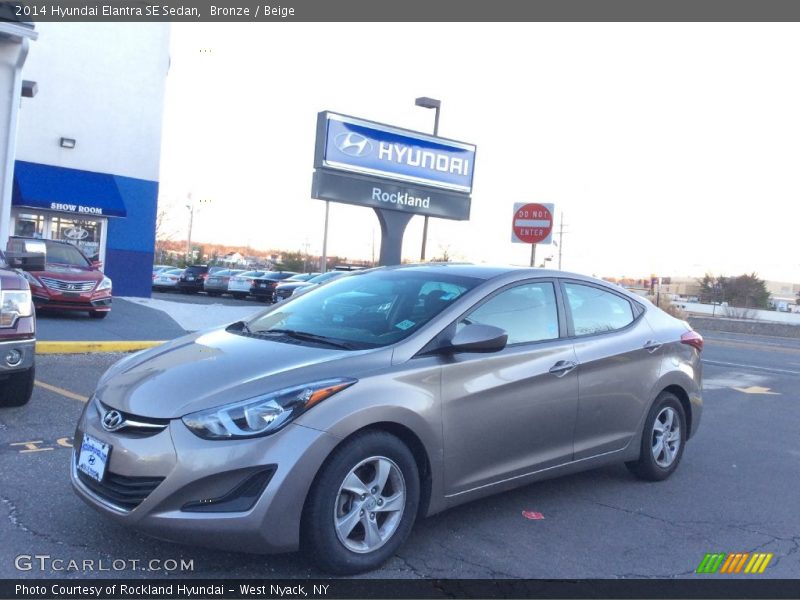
(17, 326)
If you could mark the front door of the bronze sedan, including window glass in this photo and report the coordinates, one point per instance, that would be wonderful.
(511, 412)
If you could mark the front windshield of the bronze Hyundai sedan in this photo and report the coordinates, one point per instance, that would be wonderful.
(365, 311)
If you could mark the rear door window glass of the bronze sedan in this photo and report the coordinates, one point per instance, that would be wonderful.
(595, 310)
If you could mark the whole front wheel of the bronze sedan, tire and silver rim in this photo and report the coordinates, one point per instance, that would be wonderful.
(362, 506)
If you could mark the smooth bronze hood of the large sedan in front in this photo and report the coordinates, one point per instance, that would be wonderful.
(214, 368)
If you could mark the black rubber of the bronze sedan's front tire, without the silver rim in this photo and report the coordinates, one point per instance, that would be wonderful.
(318, 534)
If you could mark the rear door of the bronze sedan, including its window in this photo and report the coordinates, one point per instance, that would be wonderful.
(620, 360)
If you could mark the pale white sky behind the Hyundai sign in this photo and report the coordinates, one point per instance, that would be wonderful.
(670, 149)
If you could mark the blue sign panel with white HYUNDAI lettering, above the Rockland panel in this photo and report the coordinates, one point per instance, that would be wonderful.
(360, 146)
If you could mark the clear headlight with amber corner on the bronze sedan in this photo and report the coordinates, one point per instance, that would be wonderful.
(262, 415)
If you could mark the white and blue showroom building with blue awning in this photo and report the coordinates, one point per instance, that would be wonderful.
(88, 144)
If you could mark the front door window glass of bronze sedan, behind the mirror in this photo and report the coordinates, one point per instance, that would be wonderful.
(526, 312)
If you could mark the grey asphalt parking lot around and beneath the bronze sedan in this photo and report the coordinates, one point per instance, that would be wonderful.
(736, 491)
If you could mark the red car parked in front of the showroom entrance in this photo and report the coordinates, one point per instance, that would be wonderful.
(69, 281)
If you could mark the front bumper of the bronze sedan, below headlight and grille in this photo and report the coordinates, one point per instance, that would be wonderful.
(196, 470)
